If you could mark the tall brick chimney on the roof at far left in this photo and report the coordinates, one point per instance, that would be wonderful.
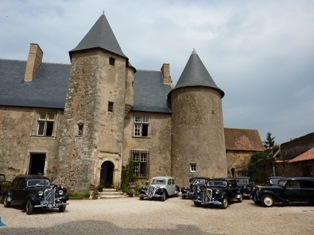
(33, 62)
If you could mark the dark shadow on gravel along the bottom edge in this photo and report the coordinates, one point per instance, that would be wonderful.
(98, 227)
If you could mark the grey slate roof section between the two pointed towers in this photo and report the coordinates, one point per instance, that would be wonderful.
(150, 93)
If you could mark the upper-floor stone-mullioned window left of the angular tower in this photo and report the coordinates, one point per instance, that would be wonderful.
(45, 123)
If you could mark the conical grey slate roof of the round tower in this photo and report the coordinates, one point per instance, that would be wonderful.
(195, 74)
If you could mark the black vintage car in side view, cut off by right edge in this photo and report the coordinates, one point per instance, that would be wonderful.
(295, 189)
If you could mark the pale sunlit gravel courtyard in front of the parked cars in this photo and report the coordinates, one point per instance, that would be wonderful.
(174, 216)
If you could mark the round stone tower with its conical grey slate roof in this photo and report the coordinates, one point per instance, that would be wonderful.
(198, 142)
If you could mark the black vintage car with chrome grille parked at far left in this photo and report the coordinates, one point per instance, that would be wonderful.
(34, 191)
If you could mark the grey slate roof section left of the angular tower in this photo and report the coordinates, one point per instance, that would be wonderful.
(47, 89)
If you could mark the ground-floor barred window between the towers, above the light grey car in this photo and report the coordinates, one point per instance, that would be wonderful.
(140, 160)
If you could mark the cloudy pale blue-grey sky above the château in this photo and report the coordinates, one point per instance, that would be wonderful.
(260, 53)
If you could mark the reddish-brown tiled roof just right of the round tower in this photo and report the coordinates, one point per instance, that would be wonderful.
(243, 139)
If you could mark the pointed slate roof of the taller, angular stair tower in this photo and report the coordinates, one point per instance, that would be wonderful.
(100, 36)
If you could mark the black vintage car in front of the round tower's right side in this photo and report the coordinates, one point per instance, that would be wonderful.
(219, 192)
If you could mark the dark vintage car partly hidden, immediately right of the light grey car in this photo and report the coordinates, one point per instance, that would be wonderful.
(195, 186)
